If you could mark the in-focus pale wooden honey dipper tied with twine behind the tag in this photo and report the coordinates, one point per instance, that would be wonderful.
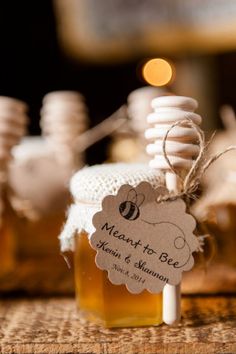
(181, 149)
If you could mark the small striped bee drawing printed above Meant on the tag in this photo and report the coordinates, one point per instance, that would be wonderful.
(129, 209)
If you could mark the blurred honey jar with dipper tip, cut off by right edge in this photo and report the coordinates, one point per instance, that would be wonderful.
(216, 210)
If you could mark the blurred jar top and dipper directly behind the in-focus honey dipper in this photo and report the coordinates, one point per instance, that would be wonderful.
(128, 143)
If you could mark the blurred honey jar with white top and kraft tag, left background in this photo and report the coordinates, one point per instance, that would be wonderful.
(39, 183)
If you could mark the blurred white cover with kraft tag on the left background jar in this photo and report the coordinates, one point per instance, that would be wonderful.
(39, 182)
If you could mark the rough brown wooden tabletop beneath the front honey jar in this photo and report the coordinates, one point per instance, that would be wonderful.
(51, 325)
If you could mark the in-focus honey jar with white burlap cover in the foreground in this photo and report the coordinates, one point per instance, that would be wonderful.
(97, 298)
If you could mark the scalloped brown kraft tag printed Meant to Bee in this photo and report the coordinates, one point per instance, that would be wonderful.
(141, 242)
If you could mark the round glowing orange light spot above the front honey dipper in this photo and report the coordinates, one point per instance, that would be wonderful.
(157, 72)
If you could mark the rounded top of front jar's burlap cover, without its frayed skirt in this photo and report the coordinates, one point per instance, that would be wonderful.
(92, 184)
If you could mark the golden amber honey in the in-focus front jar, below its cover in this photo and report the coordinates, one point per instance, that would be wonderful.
(104, 303)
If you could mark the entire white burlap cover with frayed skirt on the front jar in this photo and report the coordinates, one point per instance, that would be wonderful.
(90, 185)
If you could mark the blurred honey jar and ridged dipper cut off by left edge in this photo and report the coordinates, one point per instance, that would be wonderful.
(13, 121)
